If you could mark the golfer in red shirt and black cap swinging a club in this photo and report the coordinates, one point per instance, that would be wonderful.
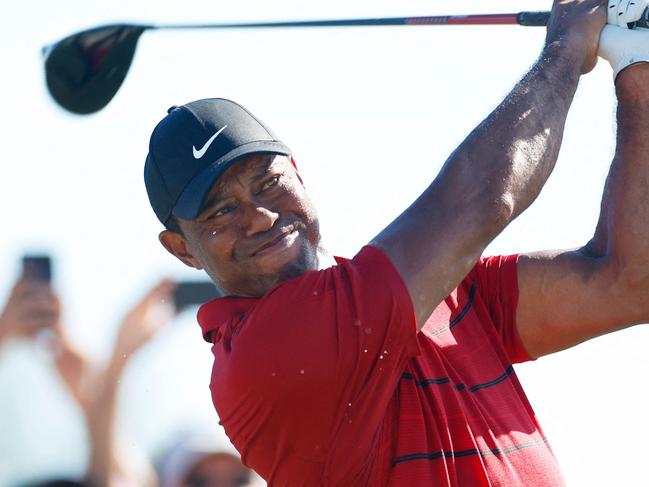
(394, 368)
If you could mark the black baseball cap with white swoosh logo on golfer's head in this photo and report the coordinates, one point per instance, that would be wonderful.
(193, 146)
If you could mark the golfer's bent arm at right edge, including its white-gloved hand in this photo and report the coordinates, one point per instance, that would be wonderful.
(568, 297)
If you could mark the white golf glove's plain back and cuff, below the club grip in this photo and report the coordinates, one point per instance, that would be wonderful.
(623, 47)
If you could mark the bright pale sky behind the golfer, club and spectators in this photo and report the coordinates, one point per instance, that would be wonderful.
(370, 113)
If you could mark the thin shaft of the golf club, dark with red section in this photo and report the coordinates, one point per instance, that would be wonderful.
(520, 18)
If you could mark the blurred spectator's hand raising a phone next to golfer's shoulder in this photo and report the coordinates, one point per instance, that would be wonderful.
(145, 320)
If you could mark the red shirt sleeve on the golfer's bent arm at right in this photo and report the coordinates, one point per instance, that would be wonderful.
(496, 279)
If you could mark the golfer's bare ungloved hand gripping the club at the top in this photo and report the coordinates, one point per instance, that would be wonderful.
(574, 27)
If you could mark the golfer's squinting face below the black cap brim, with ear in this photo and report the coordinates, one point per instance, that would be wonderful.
(257, 227)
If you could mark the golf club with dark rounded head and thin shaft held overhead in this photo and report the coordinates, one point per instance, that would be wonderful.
(85, 70)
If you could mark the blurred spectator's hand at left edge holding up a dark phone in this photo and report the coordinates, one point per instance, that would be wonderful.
(32, 306)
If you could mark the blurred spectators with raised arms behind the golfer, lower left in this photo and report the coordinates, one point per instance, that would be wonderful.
(196, 459)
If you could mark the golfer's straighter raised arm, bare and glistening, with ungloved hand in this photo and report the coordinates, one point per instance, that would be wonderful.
(499, 169)
